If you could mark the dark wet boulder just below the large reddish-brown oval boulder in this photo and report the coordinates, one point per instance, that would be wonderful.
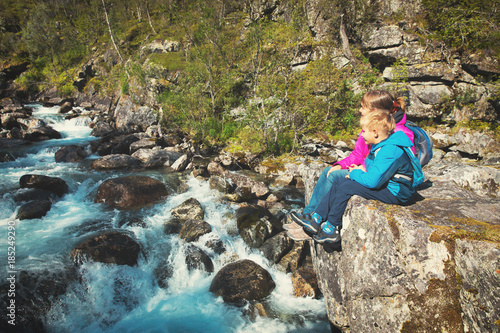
(111, 247)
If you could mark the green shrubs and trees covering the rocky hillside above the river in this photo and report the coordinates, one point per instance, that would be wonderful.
(233, 79)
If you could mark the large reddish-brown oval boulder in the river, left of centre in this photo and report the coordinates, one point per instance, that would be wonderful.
(131, 192)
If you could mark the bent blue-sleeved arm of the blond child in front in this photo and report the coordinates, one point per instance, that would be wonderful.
(382, 169)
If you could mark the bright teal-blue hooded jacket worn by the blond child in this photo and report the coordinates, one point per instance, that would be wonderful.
(387, 165)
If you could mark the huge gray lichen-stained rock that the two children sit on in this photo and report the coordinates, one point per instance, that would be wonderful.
(430, 265)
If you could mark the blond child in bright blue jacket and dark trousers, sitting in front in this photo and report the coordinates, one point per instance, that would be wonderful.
(388, 177)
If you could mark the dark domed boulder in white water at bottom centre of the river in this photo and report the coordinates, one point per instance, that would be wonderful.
(242, 280)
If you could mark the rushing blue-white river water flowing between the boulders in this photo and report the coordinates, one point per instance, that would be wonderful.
(120, 298)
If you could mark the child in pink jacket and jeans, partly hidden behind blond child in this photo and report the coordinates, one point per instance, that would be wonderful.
(375, 99)
